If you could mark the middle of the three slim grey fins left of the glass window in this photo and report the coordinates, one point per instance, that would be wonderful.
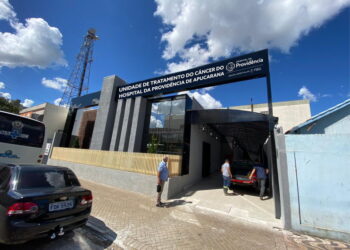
(126, 125)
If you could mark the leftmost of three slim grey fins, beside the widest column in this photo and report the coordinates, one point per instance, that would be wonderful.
(118, 124)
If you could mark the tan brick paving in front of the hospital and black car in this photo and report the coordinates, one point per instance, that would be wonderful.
(138, 224)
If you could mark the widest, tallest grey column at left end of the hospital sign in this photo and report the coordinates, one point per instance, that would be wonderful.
(101, 136)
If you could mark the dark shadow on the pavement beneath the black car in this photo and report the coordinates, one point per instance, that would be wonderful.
(95, 235)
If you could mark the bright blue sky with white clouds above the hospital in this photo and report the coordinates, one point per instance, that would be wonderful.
(308, 42)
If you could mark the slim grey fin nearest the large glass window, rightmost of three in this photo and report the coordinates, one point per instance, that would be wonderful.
(138, 119)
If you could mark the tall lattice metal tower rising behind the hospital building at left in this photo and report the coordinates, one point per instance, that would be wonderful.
(78, 82)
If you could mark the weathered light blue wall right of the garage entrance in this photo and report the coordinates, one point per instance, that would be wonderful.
(318, 184)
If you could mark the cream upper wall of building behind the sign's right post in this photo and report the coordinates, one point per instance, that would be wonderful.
(289, 114)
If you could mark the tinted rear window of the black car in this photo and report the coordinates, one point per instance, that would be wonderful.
(46, 178)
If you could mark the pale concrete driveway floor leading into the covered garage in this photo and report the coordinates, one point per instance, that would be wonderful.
(208, 195)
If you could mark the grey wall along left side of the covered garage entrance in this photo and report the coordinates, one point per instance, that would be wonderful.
(181, 183)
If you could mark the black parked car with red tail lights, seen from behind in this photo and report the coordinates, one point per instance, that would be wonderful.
(40, 201)
